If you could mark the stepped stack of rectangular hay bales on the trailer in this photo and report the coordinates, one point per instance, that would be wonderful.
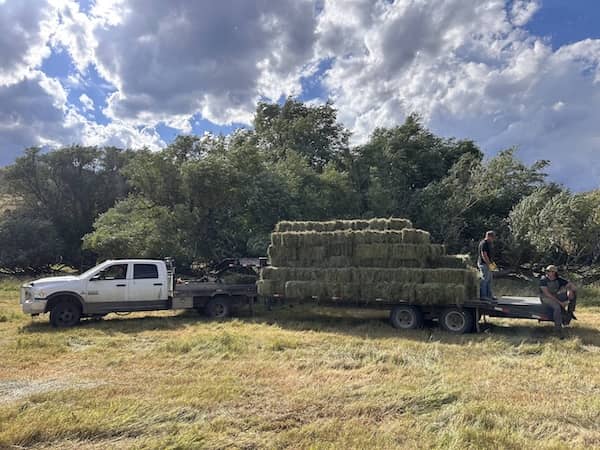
(364, 261)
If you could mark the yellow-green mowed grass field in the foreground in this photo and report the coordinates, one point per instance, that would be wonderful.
(294, 378)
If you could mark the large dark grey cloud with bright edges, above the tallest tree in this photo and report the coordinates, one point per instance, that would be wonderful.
(219, 58)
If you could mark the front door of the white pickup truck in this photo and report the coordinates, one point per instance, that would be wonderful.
(108, 289)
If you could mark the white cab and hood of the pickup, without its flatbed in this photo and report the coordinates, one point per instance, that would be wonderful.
(113, 286)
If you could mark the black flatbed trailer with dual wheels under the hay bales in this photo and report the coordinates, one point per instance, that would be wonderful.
(453, 318)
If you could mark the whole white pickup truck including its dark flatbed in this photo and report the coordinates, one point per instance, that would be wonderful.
(125, 286)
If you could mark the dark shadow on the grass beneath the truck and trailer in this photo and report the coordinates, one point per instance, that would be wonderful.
(363, 323)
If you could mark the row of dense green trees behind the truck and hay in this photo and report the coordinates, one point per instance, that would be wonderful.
(207, 197)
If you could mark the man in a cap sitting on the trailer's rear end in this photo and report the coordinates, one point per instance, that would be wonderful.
(560, 295)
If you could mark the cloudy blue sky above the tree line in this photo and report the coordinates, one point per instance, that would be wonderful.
(137, 73)
